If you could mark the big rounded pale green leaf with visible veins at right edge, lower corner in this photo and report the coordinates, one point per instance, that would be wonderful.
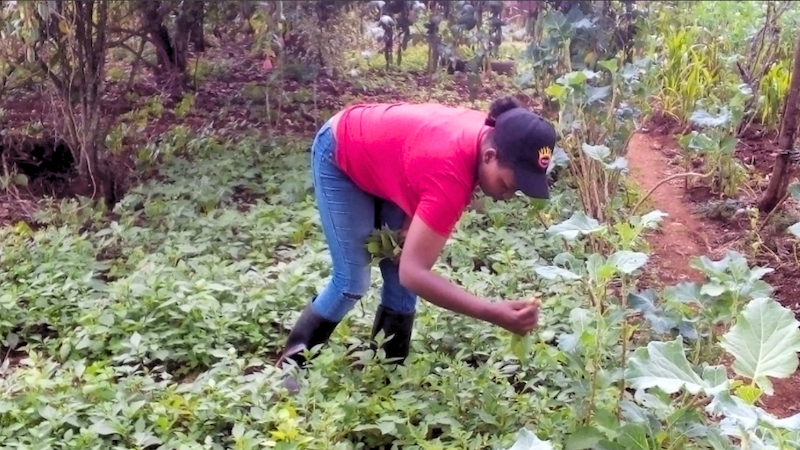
(764, 342)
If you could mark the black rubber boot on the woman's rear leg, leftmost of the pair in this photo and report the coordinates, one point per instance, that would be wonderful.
(310, 330)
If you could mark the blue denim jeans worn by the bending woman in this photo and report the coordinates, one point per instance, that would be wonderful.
(348, 214)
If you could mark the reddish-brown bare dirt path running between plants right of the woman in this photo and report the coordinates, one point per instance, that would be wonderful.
(681, 235)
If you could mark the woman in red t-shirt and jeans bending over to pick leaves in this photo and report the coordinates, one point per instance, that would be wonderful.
(414, 167)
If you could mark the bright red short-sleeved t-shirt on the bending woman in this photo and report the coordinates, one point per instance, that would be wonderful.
(422, 157)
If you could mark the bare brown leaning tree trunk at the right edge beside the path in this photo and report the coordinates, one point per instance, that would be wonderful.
(779, 181)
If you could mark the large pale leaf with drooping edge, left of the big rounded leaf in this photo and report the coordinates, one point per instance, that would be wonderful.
(664, 365)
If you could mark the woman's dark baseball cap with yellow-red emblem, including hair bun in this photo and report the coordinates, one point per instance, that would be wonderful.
(526, 140)
